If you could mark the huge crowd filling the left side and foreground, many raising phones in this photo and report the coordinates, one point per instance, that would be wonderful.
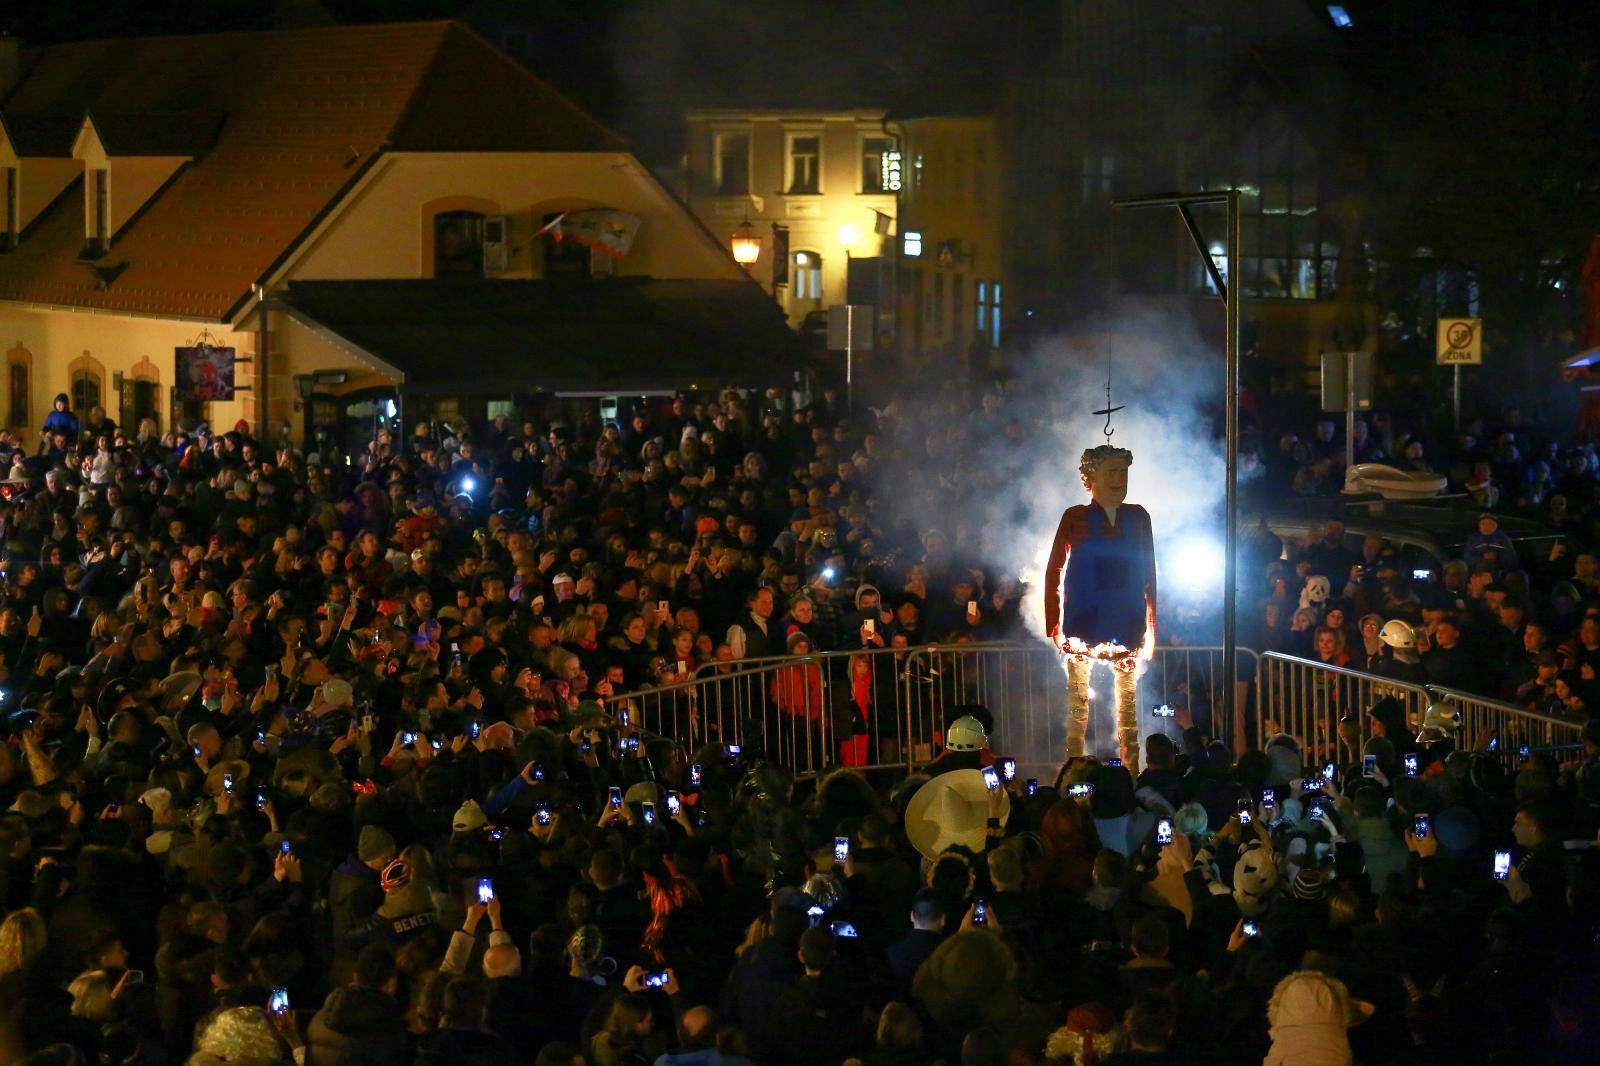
(327, 758)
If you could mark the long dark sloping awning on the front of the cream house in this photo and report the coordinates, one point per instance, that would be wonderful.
(564, 335)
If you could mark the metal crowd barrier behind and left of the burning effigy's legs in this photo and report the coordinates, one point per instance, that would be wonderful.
(799, 710)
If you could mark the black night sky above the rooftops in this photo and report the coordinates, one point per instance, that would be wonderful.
(639, 63)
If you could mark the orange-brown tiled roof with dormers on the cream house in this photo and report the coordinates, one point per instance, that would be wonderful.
(303, 113)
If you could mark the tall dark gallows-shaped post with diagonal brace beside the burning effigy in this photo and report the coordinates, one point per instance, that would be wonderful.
(1231, 307)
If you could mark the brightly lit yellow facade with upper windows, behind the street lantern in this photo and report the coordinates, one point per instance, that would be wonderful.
(820, 188)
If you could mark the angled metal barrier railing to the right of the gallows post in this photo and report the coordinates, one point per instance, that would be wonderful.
(1308, 699)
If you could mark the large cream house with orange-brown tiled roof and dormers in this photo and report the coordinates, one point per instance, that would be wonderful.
(164, 194)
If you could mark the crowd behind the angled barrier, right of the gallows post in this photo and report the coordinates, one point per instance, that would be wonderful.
(1511, 619)
